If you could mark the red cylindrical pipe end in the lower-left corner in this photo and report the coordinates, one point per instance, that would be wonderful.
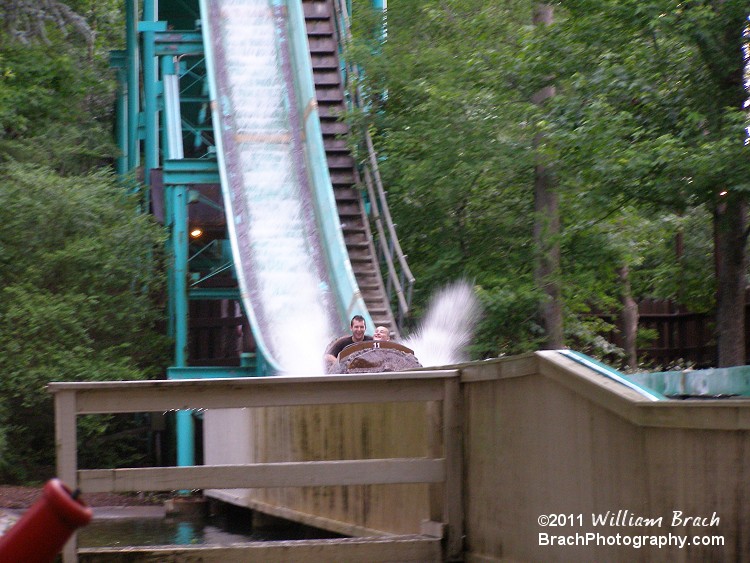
(43, 530)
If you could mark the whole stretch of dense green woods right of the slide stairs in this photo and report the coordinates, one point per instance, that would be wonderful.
(642, 143)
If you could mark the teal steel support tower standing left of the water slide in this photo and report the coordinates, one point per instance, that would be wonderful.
(148, 110)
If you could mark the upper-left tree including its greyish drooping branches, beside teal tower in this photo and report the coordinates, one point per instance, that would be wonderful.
(55, 107)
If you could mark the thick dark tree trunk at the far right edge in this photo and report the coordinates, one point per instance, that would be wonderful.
(729, 224)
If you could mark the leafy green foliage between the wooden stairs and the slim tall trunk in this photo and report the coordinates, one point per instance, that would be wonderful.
(457, 169)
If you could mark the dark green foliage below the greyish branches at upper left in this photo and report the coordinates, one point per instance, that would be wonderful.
(56, 101)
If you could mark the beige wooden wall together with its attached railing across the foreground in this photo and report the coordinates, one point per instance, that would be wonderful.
(474, 455)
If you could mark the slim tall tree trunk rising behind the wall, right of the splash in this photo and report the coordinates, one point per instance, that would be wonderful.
(547, 224)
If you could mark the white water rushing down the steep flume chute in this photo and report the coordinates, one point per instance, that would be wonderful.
(277, 253)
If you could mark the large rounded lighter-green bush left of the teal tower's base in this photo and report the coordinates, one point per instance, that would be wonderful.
(82, 285)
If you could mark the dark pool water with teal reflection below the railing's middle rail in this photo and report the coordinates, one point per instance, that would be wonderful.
(213, 530)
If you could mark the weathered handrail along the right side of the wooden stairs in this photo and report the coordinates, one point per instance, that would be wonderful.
(401, 282)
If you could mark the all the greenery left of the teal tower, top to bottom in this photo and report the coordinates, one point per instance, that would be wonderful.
(81, 277)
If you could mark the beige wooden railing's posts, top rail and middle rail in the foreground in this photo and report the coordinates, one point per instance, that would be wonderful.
(443, 469)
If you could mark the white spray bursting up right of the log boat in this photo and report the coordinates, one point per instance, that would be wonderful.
(447, 328)
